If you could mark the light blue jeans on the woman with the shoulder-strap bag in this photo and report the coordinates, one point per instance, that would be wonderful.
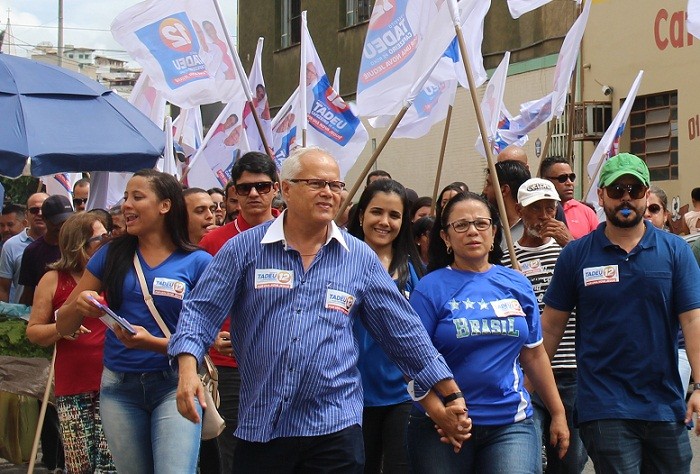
(145, 432)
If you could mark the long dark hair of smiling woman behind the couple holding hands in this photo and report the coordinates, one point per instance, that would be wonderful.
(404, 248)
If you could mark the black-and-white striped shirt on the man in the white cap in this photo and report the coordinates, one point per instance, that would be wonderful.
(537, 264)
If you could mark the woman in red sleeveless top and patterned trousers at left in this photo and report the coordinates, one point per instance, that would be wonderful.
(79, 354)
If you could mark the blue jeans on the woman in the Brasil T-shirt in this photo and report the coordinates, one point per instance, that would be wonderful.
(511, 449)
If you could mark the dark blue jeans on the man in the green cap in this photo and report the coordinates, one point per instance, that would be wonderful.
(634, 446)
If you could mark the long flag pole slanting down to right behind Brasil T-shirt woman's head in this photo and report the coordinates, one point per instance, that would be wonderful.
(485, 140)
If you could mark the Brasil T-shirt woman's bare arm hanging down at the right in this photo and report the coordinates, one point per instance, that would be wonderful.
(536, 365)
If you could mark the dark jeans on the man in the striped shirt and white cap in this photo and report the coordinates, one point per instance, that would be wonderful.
(576, 456)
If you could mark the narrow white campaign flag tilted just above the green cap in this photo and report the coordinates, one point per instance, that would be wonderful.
(609, 145)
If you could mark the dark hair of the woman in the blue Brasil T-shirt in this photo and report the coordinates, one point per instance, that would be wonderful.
(437, 251)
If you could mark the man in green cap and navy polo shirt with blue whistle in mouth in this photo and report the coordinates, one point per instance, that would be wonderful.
(632, 286)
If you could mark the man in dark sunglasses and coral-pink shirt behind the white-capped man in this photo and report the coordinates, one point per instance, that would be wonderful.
(580, 219)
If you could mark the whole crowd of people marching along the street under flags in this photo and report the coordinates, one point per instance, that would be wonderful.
(398, 337)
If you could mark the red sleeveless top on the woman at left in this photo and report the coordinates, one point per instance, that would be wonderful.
(78, 362)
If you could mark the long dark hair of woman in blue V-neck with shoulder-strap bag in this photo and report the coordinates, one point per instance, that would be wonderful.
(120, 254)
